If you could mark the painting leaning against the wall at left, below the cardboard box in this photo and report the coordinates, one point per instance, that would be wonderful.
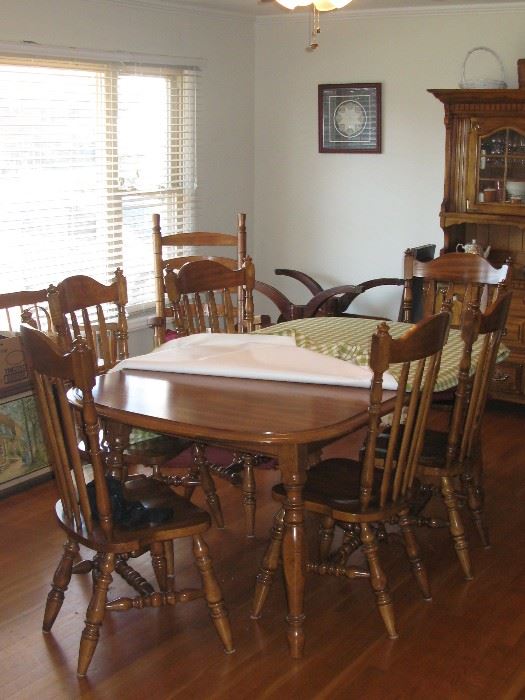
(23, 456)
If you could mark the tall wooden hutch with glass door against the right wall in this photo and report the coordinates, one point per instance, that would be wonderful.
(484, 199)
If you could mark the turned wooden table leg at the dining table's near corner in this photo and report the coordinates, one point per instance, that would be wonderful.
(292, 462)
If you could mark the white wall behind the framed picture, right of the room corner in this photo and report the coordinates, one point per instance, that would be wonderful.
(347, 218)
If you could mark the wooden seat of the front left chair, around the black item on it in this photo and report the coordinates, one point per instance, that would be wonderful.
(152, 494)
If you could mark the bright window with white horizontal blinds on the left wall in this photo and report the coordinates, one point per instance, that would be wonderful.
(88, 152)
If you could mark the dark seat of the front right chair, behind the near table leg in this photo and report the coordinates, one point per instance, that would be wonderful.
(333, 483)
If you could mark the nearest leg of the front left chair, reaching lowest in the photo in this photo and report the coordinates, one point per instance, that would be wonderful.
(95, 614)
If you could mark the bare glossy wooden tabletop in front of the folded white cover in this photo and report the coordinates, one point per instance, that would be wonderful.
(226, 410)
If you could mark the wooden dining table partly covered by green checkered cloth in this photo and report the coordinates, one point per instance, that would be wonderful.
(286, 420)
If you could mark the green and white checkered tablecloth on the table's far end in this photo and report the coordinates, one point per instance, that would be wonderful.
(350, 338)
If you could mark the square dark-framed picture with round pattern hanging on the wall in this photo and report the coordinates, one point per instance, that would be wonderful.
(350, 118)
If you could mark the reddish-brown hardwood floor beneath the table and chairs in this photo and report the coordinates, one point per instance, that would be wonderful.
(469, 642)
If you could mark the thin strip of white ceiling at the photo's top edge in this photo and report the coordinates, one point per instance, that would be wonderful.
(256, 8)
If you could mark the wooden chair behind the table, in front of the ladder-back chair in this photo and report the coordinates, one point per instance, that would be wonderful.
(200, 297)
